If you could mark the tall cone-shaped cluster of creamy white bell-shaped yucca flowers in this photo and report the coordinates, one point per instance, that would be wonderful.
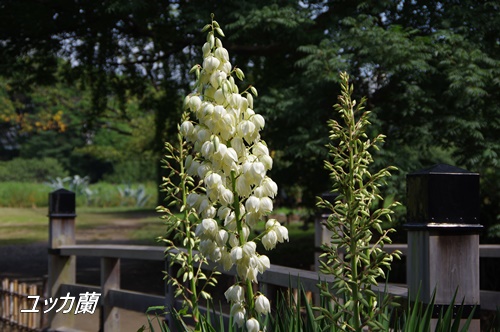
(233, 162)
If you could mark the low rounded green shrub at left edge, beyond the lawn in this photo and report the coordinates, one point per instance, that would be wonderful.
(30, 170)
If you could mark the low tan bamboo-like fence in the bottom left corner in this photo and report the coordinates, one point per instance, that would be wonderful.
(13, 299)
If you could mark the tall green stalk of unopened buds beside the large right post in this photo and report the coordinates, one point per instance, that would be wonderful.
(353, 220)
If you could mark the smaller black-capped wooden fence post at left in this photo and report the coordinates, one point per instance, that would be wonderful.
(61, 269)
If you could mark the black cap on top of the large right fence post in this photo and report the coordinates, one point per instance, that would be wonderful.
(443, 196)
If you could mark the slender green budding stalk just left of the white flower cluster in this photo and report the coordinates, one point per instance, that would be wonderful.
(181, 230)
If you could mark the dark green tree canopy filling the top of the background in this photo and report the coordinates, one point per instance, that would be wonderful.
(429, 69)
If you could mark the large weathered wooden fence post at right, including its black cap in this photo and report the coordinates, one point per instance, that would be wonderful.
(443, 238)
